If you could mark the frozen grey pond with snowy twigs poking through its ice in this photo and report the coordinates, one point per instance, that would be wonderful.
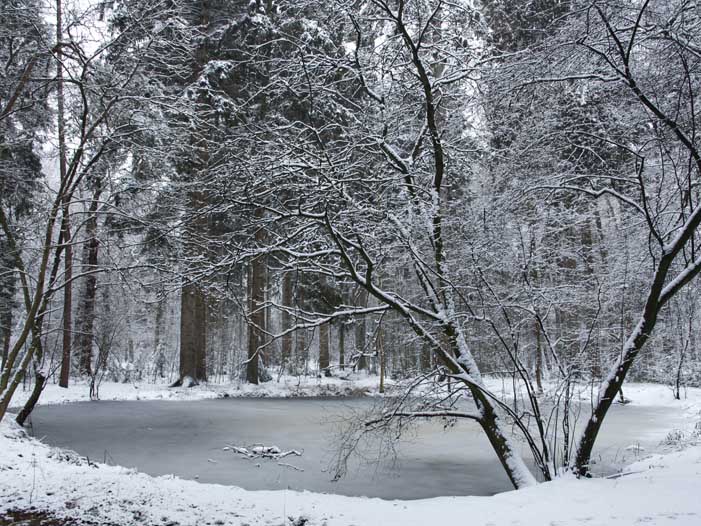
(186, 439)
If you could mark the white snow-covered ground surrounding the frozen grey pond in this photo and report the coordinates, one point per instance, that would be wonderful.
(52, 486)
